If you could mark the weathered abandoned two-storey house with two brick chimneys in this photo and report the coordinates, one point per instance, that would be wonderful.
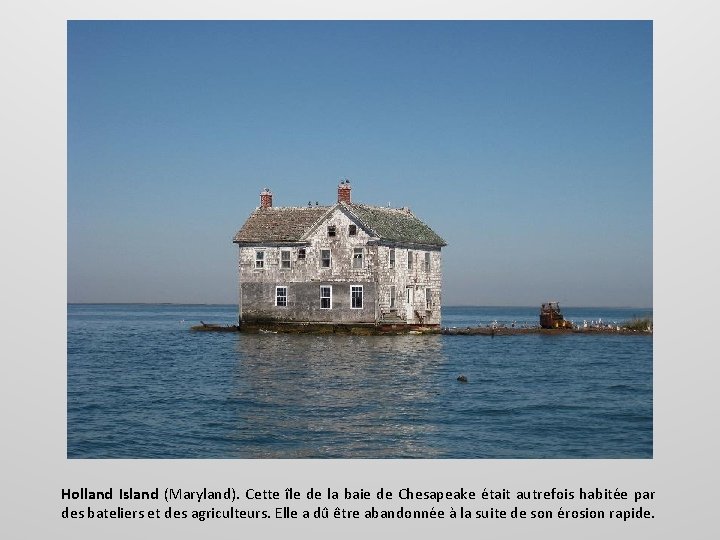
(345, 264)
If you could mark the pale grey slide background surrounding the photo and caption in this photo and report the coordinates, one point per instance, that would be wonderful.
(683, 471)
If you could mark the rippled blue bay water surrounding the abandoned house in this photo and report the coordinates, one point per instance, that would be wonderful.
(142, 385)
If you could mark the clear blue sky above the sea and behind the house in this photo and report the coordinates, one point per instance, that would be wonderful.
(526, 145)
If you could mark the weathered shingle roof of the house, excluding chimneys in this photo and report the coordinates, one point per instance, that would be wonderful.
(293, 224)
